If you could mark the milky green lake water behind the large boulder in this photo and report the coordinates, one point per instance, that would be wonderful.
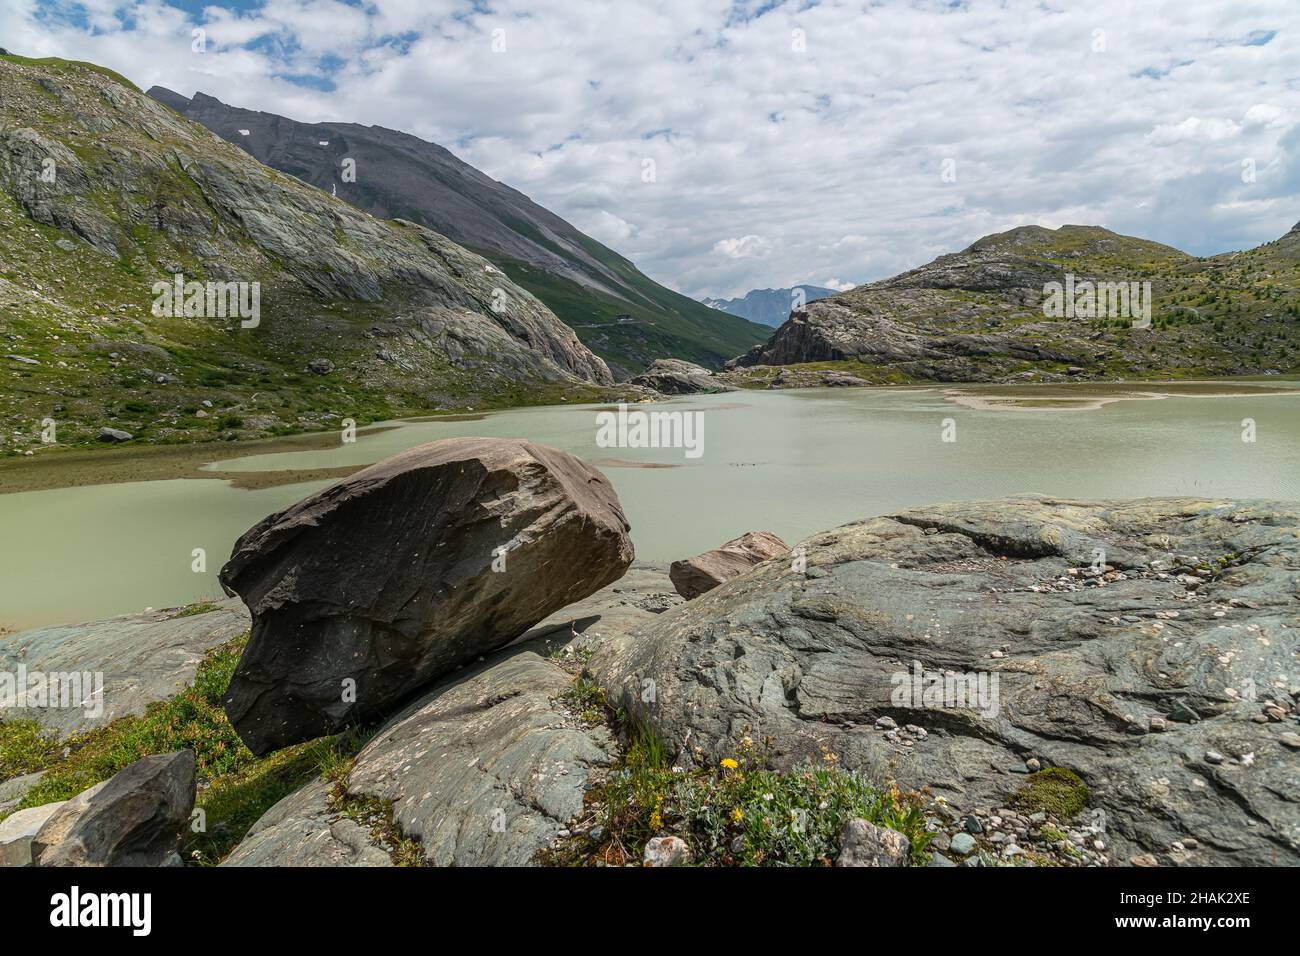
(788, 462)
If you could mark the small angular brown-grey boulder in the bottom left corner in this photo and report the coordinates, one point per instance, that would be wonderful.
(136, 819)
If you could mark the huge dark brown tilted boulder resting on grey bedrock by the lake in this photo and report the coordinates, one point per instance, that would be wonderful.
(382, 583)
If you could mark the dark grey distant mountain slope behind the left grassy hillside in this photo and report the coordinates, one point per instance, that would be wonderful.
(618, 312)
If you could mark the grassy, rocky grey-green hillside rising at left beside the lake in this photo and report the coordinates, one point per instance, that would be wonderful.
(105, 193)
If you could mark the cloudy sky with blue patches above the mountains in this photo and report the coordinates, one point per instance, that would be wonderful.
(790, 142)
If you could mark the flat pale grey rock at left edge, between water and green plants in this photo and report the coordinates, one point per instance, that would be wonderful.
(141, 657)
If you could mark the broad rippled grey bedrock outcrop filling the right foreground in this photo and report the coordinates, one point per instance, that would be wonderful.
(1149, 646)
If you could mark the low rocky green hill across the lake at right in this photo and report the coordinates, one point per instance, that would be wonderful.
(980, 315)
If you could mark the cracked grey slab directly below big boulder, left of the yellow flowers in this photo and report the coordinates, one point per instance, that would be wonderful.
(488, 769)
